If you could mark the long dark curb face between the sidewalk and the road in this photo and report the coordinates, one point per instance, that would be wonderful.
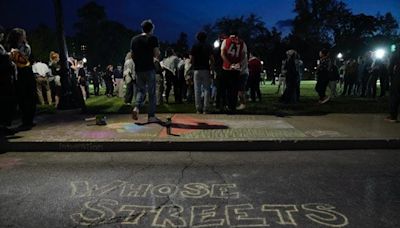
(259, 145)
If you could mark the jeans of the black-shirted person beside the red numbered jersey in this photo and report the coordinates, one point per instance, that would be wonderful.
(202, 82)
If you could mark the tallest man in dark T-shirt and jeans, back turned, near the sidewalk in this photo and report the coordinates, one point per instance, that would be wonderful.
(144, 48)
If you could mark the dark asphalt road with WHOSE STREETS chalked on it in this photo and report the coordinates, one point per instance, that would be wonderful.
(182, 189)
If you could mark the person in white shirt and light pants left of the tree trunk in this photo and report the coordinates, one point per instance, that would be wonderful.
(41, 72)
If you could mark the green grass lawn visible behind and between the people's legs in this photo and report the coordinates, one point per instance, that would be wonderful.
(269, 105)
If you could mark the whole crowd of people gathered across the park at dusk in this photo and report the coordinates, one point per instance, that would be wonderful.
(221, 78)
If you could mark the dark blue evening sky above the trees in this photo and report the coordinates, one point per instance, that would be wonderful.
(171, 16)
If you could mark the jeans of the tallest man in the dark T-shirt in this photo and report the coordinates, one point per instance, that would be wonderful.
(148, 79)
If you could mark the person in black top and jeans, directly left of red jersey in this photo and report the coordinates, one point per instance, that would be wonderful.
(201, 56)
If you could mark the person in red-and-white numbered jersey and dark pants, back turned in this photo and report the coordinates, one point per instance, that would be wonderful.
(233, 50)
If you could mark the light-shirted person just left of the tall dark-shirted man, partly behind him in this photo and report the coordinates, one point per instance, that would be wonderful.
(129, 78)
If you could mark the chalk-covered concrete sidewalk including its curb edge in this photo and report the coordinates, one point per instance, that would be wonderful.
(67, 131)
